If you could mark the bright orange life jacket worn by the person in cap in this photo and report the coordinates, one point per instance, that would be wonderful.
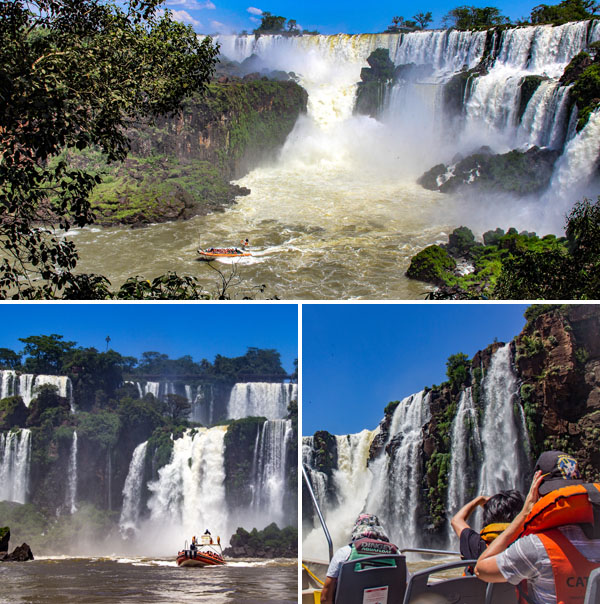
(575, 504)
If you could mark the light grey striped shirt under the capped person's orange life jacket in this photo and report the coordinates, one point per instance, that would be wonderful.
(527, 559)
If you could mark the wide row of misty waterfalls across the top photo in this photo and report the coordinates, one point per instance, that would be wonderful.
(491, 111)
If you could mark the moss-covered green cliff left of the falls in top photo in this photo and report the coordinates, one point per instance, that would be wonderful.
(181, 166)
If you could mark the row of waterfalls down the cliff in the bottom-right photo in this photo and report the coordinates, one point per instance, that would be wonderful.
(489, 452)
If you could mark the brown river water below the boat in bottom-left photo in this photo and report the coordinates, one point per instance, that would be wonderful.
(116, 580)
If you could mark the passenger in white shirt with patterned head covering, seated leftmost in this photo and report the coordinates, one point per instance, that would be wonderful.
(366, 527)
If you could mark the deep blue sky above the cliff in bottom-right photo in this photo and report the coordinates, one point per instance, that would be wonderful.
(356, 358)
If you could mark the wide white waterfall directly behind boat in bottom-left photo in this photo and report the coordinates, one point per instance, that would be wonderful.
(189, 494)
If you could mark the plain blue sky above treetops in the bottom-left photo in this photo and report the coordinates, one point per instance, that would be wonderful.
(200, 330)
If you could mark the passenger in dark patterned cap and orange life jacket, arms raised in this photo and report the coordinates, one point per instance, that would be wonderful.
(555, 562)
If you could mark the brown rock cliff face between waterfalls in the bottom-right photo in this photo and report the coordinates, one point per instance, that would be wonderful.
(556, 362)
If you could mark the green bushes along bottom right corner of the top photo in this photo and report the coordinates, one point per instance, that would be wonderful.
(522, 266)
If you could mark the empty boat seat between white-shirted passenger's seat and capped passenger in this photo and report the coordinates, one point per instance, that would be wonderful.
(467, 589)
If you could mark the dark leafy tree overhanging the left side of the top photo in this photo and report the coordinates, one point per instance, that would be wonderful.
(74, 74)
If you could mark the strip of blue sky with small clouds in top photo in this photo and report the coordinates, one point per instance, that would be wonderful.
(329, 17)
